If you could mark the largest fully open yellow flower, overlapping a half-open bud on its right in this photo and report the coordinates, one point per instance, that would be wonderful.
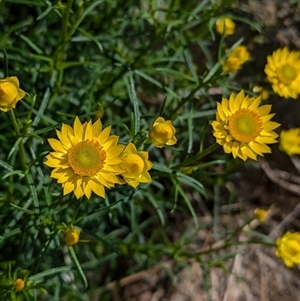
(86, 158)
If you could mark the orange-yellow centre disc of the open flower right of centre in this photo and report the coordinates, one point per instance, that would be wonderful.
(245, 125)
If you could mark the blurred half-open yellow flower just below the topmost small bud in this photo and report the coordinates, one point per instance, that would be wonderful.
(236, 59)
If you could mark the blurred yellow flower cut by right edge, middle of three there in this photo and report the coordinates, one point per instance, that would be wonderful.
(289, 141)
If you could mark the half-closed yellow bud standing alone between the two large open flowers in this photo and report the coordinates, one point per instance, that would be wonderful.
(162, 132)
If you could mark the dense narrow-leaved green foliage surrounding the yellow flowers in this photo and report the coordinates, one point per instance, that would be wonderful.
(126, 62)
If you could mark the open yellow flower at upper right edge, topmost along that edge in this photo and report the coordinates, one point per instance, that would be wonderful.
(283, 72)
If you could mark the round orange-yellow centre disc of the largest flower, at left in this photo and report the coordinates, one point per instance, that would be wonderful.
(86, 158)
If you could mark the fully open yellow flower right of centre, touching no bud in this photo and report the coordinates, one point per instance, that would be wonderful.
(244, 128)
